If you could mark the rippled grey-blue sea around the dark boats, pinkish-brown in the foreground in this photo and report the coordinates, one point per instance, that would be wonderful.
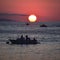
(48, 37)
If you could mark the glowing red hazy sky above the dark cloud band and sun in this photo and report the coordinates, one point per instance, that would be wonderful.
(46, 9)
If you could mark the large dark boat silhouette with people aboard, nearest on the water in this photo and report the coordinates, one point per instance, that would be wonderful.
(22, 40)
